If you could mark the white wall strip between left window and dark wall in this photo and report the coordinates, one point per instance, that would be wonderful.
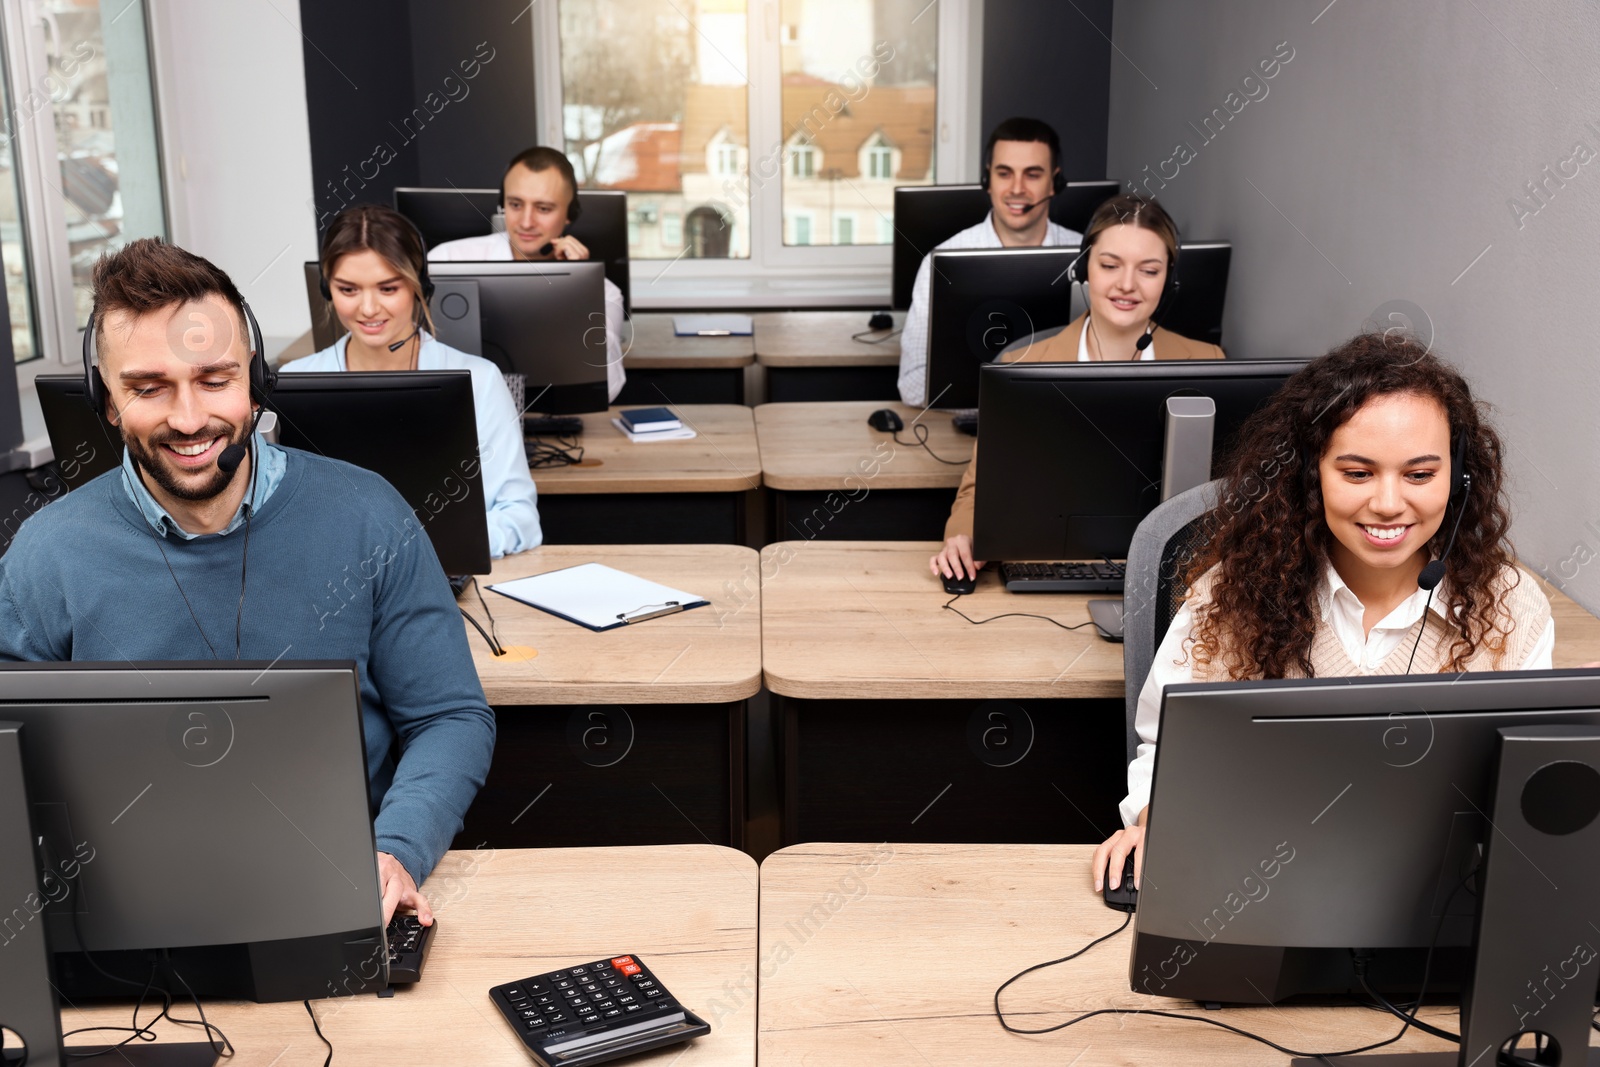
(231, 90)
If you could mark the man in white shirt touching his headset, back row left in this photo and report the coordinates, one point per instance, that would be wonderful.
(540, 198)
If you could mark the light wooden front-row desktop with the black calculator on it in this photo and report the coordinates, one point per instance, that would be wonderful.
(503, 916)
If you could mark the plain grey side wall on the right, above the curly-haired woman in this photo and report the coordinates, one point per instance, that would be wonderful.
(1383, 161)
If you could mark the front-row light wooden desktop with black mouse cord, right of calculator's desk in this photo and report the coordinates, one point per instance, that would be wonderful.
(902, 964)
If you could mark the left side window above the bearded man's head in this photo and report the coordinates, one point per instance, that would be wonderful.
(81, 162)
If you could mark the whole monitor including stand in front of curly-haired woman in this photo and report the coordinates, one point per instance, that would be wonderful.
(1295, 821)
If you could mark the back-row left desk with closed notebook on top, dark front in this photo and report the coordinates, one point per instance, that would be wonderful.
(666, 369)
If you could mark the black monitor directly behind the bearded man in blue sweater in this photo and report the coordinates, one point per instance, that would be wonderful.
(418, 430)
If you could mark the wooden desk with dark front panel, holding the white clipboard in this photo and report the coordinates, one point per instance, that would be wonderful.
(649, 716)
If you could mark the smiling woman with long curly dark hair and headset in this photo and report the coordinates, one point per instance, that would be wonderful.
(1340, 498)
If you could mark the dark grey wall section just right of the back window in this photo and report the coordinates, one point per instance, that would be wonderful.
(1050, 62)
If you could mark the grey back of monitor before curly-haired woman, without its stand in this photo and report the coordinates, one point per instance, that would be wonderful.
(1292, 821)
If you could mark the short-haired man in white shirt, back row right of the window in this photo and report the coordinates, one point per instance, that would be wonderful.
(1022, 174)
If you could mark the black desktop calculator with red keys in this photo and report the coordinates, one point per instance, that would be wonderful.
(594, 1013)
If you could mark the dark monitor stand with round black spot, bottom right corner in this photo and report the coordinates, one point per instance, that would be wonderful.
(1537, 954)
